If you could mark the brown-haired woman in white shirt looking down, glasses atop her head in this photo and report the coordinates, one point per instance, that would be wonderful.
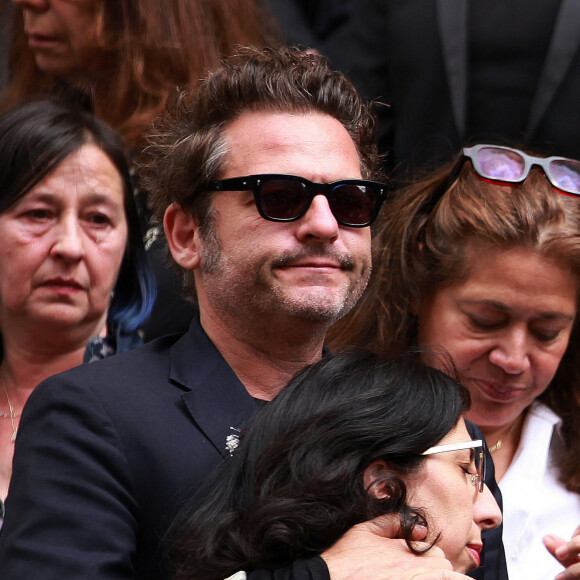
(482, 258)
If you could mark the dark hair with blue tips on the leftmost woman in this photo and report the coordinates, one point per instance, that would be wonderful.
(34, 139)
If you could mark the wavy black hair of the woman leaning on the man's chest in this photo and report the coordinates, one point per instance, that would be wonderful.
(296, 483)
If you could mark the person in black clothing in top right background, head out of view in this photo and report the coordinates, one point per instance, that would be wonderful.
(457, 72)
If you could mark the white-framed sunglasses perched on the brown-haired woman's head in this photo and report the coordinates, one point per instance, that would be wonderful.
(506, 165)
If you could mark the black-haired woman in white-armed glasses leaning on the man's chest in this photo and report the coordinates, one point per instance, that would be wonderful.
(353, 439)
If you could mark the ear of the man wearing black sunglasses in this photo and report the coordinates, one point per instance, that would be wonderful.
(183, 238)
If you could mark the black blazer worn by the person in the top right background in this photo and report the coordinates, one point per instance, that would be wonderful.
(412, 54)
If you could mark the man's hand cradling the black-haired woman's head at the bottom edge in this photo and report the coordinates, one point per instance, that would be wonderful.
(369, 552)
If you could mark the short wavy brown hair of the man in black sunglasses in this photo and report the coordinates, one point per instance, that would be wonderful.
(186, 145)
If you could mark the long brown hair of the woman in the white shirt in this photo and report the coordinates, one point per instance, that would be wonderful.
(424, 243)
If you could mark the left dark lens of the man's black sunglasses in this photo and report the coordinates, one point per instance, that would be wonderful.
(284, 199)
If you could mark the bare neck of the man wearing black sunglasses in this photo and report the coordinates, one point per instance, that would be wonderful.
(266, 356)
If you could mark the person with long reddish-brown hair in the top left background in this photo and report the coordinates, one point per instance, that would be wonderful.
(128, 57)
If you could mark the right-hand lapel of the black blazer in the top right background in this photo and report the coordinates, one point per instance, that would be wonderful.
(563, 47)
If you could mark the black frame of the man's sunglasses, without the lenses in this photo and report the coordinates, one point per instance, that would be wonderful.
(253, 183)
